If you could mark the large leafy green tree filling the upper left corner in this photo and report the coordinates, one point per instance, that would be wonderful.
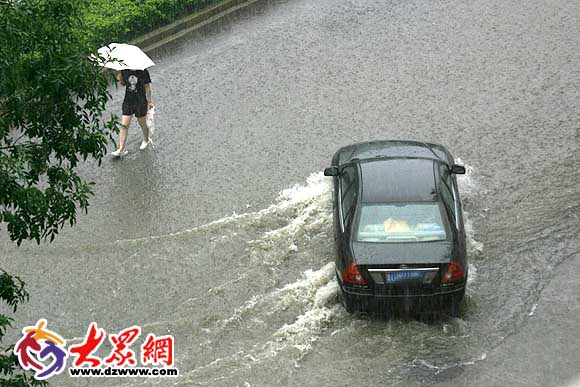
(52, 98)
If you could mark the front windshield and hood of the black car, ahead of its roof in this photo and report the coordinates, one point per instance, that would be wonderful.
(393, 148)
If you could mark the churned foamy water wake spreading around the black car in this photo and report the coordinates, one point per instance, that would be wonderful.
(259, 297)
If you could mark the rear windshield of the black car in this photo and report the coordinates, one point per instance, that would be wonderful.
(417, 222)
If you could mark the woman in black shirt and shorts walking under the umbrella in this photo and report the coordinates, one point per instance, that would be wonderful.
(137, 101)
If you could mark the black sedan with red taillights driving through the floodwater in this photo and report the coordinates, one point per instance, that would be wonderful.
(398, 224)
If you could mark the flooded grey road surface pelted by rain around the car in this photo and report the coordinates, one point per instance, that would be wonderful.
(222, 235)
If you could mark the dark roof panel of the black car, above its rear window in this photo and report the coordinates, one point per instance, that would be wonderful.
(398, 180)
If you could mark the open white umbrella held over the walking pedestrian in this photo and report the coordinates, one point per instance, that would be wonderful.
(121, 56)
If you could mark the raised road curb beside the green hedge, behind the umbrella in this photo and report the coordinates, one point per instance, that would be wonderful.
(183, 26)
